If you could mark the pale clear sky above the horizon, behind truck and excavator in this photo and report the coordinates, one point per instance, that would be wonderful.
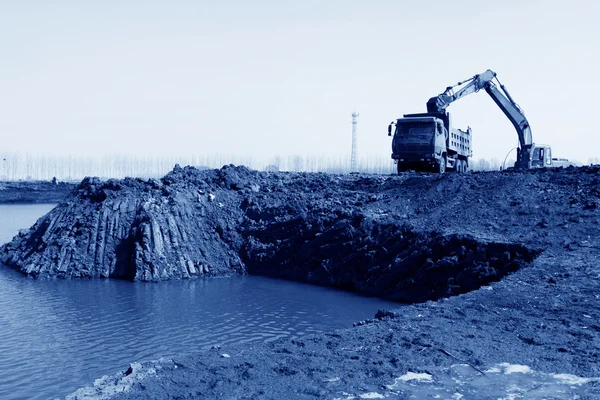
(282, 77)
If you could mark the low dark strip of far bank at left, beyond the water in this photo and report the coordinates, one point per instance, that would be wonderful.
(40, 192)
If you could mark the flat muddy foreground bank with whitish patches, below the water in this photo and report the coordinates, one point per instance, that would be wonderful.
(483, 344)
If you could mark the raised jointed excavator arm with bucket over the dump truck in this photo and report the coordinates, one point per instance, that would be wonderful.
(502, 99)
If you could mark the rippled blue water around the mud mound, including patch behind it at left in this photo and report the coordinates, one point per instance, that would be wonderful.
(56, 335)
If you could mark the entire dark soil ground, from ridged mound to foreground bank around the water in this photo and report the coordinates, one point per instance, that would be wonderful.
(502, 269)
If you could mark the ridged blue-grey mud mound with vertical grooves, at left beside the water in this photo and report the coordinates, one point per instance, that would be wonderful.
(133, 229)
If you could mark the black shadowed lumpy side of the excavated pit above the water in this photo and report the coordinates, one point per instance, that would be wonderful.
(380, 260)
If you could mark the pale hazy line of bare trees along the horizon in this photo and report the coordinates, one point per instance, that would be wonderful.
(15, 166)
